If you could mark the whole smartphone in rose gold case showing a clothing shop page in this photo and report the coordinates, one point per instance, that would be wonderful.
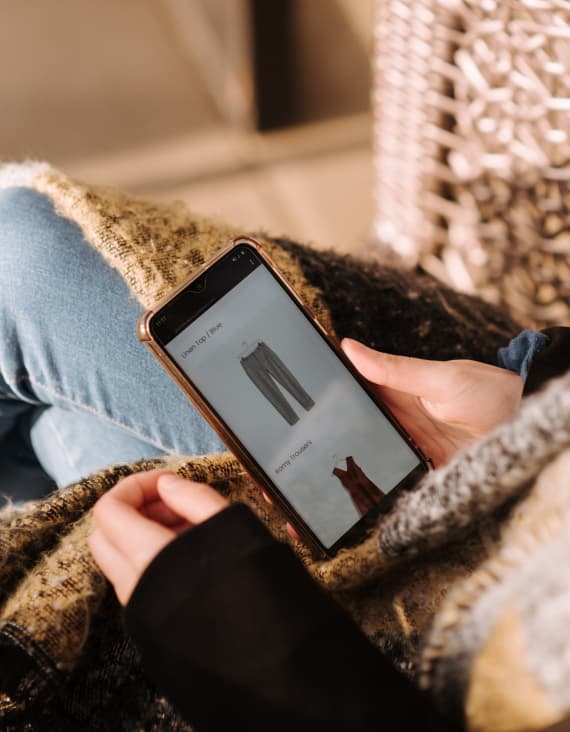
(282, 395)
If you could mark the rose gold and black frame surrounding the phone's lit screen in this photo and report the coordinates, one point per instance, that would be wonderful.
(146, 336)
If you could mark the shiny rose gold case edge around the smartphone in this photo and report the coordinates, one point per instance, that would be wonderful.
(146, 337)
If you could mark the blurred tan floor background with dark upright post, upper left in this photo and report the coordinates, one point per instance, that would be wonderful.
(255, 111)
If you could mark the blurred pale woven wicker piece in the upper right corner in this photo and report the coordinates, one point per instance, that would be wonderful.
(472, 147)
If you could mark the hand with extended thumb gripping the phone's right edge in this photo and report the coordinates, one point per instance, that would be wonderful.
(444, 405)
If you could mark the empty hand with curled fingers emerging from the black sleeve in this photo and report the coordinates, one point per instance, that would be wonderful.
(140, 516)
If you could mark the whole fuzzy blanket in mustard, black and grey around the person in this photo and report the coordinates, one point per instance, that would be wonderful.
(463, 584)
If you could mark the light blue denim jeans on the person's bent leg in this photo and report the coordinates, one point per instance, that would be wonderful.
(77, 390)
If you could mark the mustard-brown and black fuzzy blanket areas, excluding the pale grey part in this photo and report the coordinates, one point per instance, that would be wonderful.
(65, 663)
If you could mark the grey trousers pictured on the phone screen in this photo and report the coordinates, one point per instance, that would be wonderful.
(266, 370)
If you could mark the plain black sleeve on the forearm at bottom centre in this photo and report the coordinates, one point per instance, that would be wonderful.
(236, 634)
